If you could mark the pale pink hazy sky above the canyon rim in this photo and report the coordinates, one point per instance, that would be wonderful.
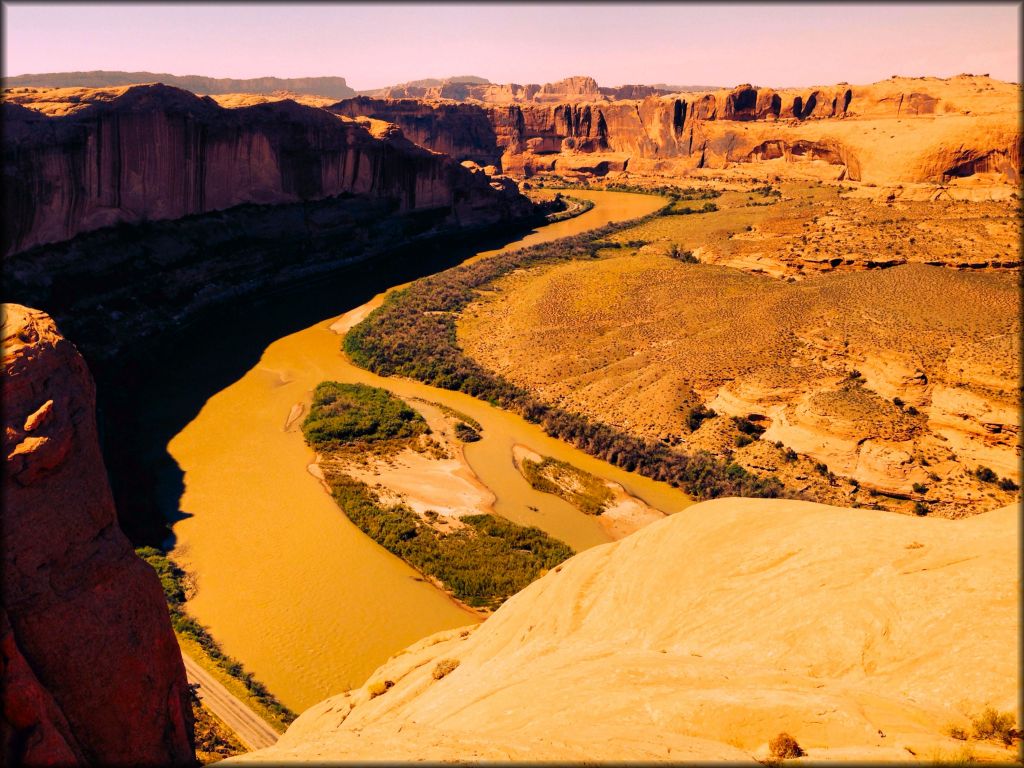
(377, 45)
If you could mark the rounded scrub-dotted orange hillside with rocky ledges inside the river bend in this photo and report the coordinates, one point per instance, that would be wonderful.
(897, 379)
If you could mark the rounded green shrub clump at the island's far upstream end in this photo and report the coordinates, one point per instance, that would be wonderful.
(348, 413)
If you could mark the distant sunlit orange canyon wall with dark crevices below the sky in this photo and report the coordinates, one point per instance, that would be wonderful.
(902, 131)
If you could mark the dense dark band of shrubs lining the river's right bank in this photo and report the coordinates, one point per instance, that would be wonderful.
(413, 334)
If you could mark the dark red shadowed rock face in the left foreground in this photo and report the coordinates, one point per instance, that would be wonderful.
(92, 671)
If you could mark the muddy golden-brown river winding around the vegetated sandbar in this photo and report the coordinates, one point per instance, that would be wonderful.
(290, 587)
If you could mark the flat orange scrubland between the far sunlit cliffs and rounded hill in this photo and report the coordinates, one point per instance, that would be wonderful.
(798, 230)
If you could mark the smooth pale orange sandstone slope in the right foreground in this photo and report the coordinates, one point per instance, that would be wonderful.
(864, 634)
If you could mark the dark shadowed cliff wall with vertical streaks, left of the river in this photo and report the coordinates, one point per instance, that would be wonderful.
(151, 153)
